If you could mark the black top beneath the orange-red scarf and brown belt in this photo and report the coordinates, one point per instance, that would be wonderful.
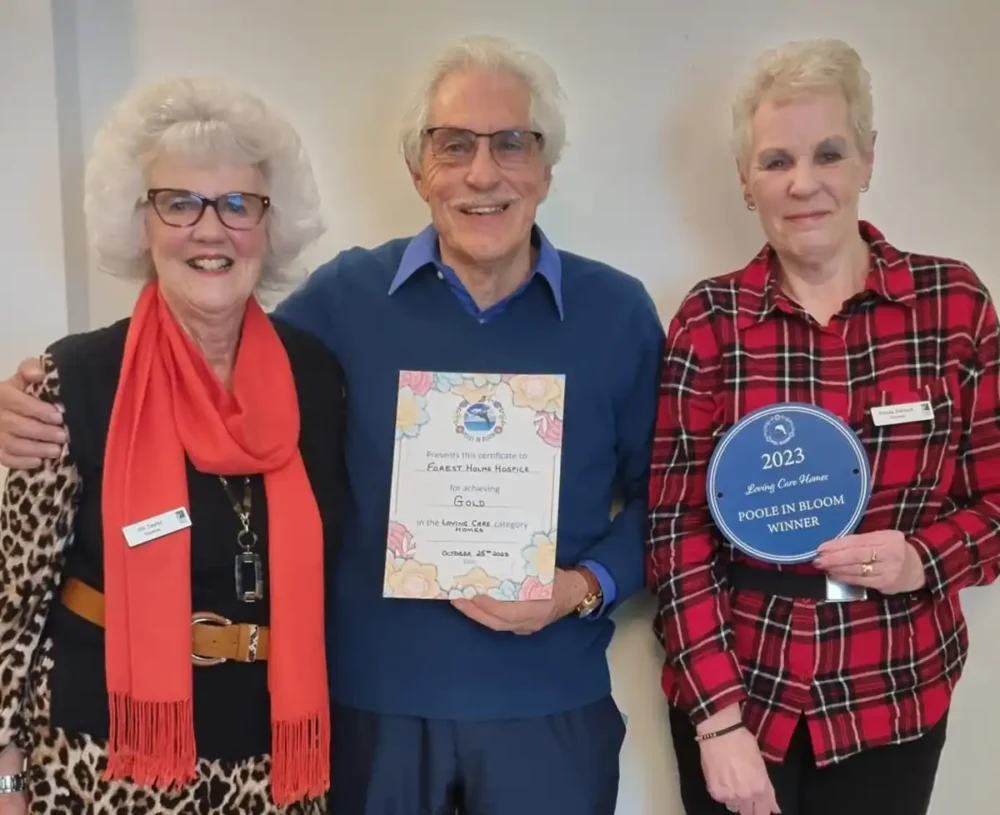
(231, 702)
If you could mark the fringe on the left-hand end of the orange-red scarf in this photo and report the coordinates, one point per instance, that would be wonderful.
(151, 743)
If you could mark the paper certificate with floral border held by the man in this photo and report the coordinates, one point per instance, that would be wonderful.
(475, 486)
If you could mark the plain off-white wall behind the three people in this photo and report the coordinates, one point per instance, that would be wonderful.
(646, 184)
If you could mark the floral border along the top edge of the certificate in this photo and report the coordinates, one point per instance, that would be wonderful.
(541, 393)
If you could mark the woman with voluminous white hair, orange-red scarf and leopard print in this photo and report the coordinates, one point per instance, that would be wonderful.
(161, 610)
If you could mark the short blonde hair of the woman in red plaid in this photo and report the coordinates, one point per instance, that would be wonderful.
(798, 69)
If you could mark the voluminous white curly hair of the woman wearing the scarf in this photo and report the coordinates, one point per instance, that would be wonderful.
(204, 120)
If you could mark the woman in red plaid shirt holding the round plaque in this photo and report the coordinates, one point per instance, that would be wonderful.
(780, 700)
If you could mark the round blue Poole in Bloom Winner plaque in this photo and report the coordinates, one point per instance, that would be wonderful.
(785, 479)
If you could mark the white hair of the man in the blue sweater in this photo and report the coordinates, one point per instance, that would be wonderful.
(498, 55)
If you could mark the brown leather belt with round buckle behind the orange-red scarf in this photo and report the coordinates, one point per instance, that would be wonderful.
(214, 639)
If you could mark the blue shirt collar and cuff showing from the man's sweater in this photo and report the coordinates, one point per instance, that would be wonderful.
(425, 250)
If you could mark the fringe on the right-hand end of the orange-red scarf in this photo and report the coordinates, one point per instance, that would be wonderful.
(301, 758)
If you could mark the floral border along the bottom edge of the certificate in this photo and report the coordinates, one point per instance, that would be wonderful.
(407, 577)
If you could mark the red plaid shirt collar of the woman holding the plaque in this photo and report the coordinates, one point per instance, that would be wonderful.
(890, 278)
